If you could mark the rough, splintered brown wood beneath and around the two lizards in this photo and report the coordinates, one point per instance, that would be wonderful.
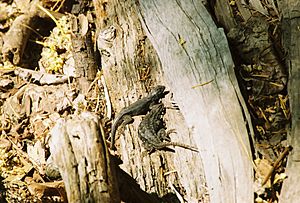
(130, 69)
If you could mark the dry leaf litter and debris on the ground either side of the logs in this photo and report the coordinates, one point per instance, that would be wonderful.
(32, 99)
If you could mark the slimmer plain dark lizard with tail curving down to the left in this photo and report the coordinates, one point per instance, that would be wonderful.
(140, 107)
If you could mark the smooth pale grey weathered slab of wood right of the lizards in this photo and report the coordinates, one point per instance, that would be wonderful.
(194, 51)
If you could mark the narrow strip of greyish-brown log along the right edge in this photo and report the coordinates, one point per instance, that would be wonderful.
(291, 38)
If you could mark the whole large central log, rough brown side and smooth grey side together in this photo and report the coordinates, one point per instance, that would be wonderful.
(188, 50)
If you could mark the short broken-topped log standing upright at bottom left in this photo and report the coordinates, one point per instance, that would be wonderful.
(83, 160)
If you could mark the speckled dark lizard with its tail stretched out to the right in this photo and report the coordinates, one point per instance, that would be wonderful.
(152, 132)
